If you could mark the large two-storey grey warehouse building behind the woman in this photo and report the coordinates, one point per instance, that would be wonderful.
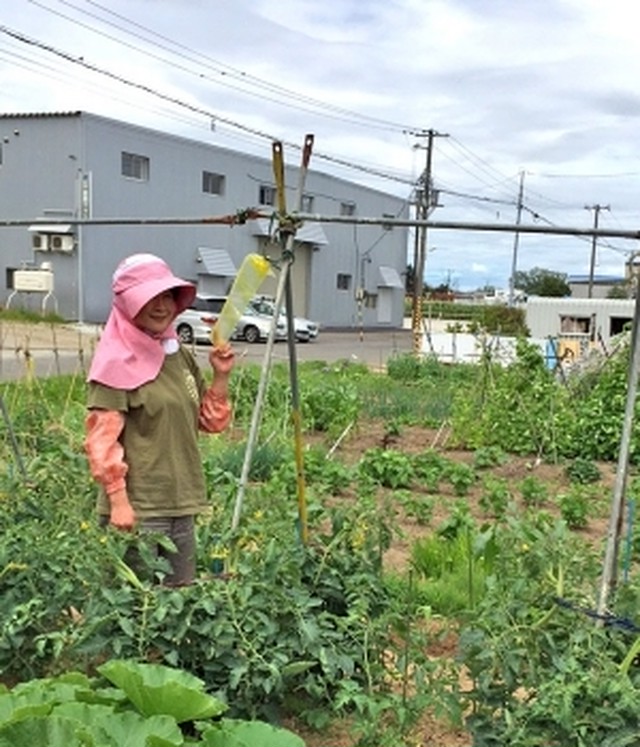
(77, 166)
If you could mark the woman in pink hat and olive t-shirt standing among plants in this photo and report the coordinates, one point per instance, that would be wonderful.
(147, 400)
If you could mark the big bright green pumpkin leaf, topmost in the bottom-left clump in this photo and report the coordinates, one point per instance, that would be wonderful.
(156, 690)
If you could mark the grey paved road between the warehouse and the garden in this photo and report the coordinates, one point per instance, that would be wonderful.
(370, 347)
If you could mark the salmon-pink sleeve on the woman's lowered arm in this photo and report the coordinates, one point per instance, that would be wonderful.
(104, 450)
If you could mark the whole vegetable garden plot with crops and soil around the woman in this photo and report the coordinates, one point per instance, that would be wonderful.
(336, 628)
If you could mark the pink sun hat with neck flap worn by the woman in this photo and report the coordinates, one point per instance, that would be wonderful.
(126, 356)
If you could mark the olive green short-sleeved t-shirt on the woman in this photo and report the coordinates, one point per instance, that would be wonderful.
(160, 439)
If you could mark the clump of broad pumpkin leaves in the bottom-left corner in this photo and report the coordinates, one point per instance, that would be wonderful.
(148, 705)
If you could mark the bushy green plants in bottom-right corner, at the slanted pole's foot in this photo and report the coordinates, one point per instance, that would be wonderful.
(544, 674)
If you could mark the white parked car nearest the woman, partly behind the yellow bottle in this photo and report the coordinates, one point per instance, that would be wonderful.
(195, 323)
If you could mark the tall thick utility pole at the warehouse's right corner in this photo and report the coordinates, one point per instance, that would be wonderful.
(424, 202)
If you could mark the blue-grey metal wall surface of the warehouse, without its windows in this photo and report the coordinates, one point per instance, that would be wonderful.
(40, 171)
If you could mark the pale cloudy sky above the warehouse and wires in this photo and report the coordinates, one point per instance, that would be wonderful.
(539, 92)
